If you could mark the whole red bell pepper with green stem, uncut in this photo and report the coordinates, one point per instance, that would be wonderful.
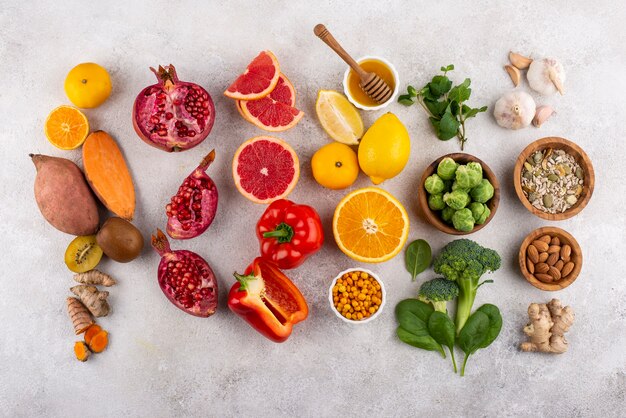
(289, 233)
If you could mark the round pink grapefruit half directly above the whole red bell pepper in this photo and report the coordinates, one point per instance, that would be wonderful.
(265, 169)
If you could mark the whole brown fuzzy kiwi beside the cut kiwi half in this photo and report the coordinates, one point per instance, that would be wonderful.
(120, 240)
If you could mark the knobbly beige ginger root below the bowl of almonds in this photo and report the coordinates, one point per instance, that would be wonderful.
(547, 327)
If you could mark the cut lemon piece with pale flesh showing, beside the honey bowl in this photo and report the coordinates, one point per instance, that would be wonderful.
(339, 118)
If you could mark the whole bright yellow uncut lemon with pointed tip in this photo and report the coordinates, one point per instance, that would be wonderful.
(384, 149)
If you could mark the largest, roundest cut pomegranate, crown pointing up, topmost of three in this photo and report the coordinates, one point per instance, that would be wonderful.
(173, 115)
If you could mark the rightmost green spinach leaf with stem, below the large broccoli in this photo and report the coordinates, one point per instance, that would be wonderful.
(480, 330)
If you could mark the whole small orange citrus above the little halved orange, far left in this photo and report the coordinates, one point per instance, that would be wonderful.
(87, 85)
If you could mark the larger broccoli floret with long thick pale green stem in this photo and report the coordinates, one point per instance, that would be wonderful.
(464, 262)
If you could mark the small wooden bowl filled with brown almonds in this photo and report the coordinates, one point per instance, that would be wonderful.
(550, 258)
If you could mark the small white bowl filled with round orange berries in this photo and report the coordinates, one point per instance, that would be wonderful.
(357, 295)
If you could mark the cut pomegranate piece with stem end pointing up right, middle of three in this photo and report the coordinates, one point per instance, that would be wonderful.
(192, 209)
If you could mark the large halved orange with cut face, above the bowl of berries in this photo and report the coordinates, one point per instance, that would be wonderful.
(370, 225)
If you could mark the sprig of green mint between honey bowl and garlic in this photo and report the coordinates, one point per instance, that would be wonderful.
(445, 105)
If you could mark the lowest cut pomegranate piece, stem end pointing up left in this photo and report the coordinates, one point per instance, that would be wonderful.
(185, 278)
